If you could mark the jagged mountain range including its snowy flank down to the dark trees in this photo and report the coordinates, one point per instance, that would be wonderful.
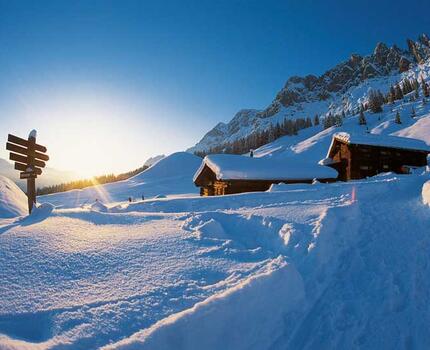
(341, 88)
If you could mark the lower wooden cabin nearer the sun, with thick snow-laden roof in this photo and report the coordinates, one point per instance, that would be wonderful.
(222, 174)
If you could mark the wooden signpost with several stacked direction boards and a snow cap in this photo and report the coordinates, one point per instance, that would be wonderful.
(29, 158)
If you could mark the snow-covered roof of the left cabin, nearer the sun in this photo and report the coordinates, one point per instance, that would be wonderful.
(235, 167)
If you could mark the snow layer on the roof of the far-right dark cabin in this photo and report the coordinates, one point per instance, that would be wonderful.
(382, 141)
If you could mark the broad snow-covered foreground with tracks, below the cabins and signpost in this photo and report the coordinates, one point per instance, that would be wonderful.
(324, 266)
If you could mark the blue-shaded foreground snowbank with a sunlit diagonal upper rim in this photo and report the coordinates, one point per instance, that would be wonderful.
(265, 297)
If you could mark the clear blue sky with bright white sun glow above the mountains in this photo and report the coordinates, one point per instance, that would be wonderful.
(110, 83)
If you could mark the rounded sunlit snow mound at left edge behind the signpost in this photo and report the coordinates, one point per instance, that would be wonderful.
(13, 202)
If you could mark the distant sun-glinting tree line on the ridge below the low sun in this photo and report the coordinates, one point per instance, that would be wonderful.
(79, 184)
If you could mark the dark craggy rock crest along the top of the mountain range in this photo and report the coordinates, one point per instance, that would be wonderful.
(300, 91)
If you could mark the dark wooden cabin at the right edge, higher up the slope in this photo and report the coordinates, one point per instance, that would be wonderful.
(361, 156)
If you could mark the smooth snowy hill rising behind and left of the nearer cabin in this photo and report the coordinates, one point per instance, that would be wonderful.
(171, 175)
